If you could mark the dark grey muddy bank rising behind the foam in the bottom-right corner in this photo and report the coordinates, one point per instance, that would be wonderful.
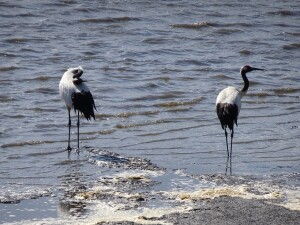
(227, 211)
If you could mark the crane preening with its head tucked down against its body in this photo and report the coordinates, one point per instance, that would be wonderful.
(76, 94)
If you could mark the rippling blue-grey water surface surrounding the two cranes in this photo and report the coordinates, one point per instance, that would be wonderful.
(155, 69)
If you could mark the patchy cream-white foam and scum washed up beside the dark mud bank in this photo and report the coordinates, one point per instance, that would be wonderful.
(116, 201)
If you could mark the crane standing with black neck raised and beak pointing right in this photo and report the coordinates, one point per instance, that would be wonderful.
(228, 106)
